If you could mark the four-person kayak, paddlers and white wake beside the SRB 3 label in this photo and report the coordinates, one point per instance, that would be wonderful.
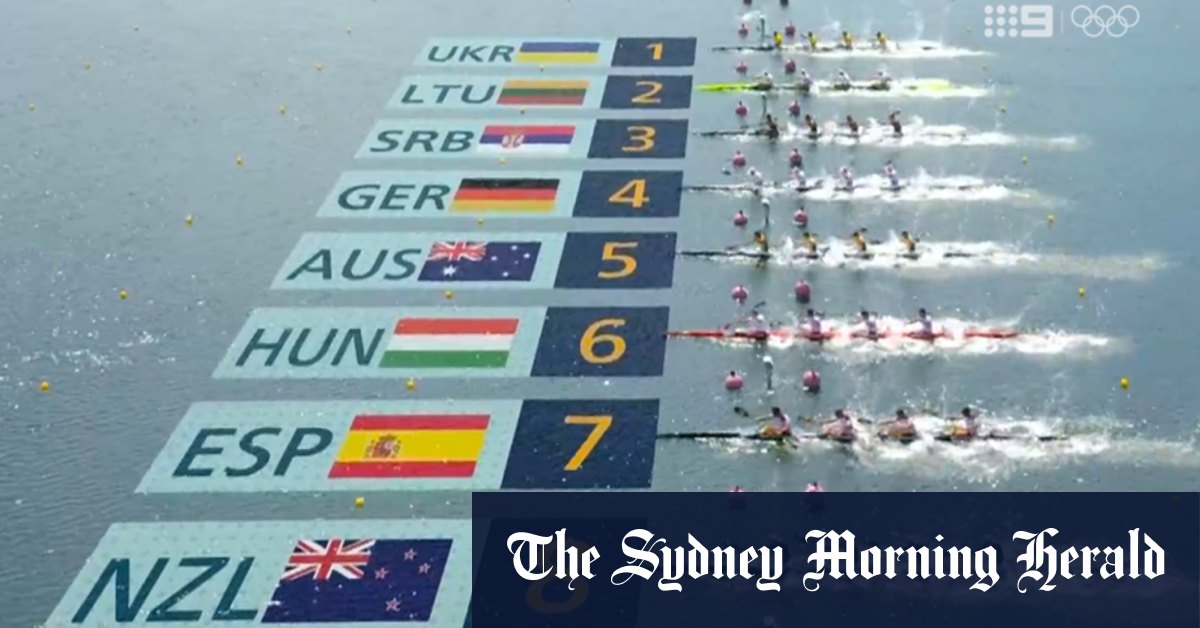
(916, 133)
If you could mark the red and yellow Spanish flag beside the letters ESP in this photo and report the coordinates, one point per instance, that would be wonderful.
(411, 446)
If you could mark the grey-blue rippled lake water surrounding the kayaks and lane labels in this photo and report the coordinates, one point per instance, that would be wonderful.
(118, 121)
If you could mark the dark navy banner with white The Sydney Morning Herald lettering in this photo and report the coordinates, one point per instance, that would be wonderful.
(613, 560)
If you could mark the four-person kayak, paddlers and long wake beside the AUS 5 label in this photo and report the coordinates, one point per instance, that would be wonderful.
(935, 258)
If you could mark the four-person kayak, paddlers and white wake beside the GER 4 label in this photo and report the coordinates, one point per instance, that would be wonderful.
(922, 187)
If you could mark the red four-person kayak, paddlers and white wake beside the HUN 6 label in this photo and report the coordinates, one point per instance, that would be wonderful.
(897, 337)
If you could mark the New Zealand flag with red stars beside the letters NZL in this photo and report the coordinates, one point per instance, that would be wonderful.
(364, 581)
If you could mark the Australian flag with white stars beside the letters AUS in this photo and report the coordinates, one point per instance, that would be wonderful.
(481, 262)
